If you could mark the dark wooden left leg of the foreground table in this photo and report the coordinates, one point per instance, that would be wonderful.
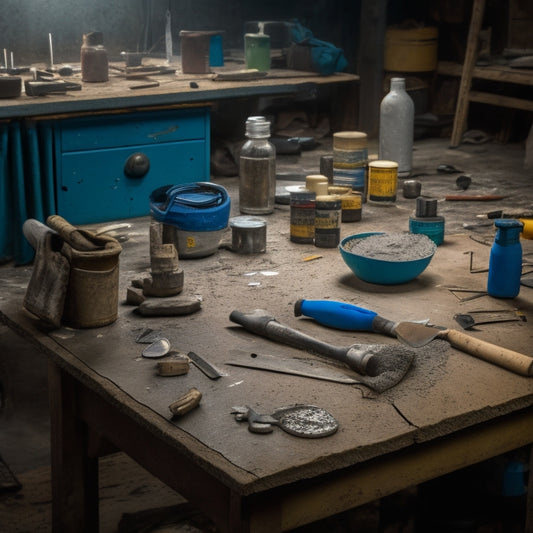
(74, 474)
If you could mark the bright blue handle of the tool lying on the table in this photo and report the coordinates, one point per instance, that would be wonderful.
(337, 315)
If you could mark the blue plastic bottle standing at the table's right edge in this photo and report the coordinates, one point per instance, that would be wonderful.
(505, 264)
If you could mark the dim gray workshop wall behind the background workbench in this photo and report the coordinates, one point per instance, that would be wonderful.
(138, 25)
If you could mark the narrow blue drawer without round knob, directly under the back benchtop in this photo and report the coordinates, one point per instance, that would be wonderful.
(130, 129)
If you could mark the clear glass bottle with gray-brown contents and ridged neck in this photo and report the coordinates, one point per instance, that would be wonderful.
(257, 169)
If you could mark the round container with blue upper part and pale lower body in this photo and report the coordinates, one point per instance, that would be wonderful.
(194, 216)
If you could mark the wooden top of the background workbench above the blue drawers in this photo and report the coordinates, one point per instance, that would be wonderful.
(173, 90)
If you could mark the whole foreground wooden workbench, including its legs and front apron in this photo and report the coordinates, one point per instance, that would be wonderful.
(451, 410)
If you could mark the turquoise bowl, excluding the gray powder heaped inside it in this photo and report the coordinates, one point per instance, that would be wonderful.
(381, 271)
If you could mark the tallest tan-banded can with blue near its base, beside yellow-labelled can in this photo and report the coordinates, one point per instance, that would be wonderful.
(350, 160)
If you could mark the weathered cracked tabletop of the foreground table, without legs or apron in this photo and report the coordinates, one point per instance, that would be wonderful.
(445, 390)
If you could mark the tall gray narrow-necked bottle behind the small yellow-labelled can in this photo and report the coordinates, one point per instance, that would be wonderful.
(396, 127)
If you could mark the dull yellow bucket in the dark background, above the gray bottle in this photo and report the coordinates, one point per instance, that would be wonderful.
(411, 50)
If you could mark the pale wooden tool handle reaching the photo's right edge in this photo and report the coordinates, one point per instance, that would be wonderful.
(509, 359)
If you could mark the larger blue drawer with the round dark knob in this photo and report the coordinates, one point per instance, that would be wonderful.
(94, 187)
